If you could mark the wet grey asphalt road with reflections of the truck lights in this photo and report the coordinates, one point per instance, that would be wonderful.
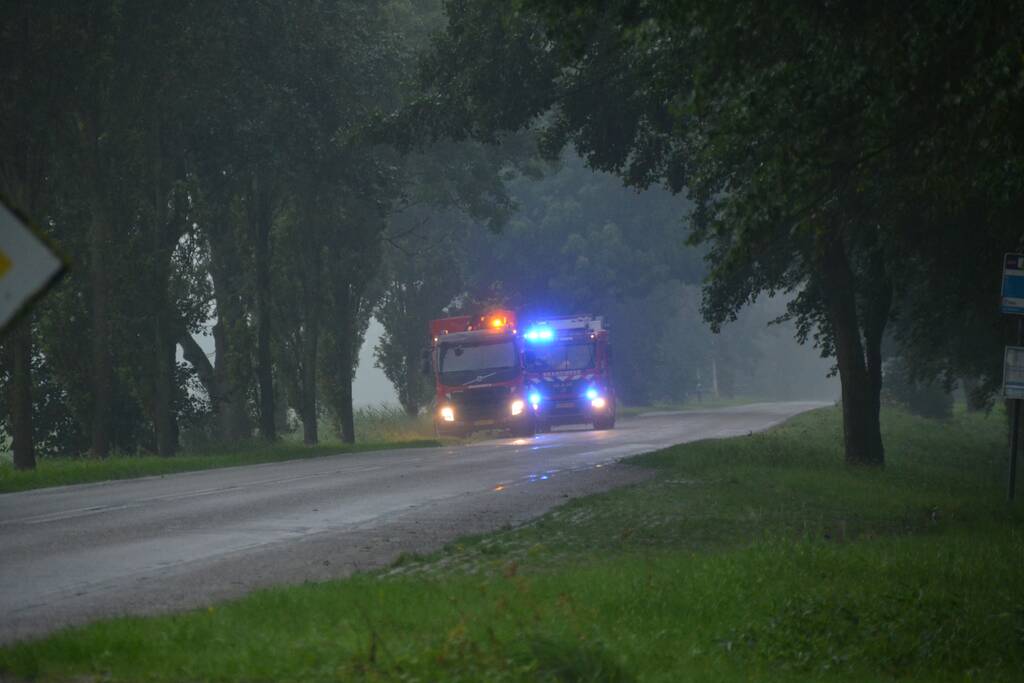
(73, 554)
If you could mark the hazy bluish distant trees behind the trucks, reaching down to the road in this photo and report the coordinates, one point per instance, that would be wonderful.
(582, 242)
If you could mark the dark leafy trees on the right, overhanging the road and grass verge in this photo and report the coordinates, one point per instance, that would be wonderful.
(866, 159)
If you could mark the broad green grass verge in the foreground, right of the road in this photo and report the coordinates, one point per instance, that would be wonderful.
(754, 559)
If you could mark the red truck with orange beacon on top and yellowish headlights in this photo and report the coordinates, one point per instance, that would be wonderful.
(478, 363)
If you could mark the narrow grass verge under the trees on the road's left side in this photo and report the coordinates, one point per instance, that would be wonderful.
(376, 429)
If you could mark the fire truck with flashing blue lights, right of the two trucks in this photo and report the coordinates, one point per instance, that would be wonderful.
(569, 372)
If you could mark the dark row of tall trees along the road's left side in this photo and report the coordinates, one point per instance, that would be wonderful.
(204, 163)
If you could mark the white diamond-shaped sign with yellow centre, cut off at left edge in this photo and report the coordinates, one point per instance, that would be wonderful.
(27, 266)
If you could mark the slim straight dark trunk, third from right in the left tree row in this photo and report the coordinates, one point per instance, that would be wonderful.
(261, 219)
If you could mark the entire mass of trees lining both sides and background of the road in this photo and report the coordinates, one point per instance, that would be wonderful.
(284, 172)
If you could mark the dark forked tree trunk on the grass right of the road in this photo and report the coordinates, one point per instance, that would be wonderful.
(861, 378)
